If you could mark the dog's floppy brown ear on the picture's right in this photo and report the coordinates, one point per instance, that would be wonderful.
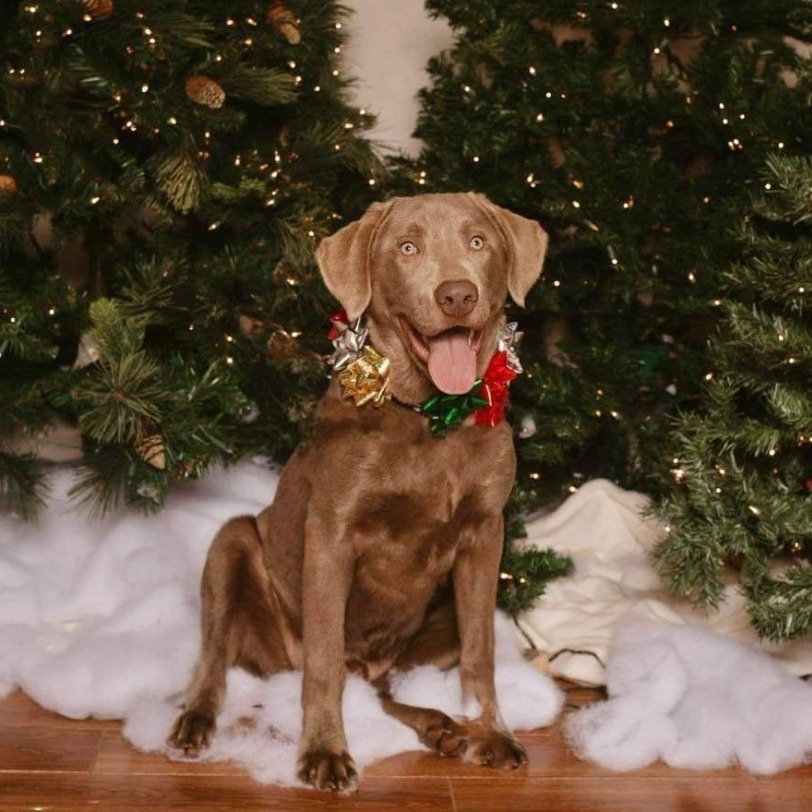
(526, 242)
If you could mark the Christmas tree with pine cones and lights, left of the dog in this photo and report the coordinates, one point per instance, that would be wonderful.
(166, 169)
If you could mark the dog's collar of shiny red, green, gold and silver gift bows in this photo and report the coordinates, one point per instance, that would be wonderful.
(364, 377)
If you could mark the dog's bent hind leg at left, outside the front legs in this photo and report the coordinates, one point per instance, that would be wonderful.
(241, 624)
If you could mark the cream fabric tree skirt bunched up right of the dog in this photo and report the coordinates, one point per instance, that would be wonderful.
(604, 530)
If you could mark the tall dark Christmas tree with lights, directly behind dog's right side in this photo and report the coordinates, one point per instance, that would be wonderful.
(635, 133)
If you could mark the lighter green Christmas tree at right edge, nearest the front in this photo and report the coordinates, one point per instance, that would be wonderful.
(743, 462)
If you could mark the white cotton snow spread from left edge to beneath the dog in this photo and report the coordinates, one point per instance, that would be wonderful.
(101, 618)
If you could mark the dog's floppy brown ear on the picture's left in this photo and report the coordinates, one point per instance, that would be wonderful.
(344, 260)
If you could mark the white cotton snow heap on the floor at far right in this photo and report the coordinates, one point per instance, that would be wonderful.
(692, 698)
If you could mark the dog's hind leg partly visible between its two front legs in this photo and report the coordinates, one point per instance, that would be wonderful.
(437, 643)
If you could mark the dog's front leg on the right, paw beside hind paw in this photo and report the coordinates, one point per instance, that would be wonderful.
(476, 573)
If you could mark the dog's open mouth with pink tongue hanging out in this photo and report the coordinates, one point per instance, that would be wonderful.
(450, 356)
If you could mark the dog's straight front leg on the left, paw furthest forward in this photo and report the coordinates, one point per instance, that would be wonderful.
(323, 758)
